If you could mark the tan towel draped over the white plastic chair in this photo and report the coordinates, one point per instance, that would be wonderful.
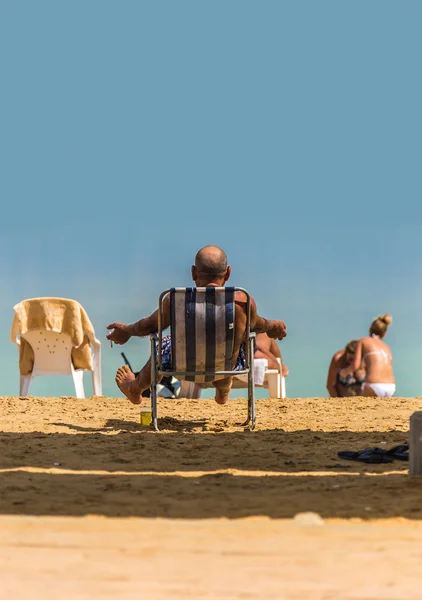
(53, 314)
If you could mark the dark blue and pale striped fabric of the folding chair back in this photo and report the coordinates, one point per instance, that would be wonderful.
(202, 330)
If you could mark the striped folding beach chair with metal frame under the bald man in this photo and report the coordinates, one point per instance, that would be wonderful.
(202, 327)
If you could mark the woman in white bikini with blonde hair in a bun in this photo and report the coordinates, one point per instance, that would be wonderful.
(374, 354)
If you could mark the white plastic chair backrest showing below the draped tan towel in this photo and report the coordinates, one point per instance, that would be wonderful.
(52, 352)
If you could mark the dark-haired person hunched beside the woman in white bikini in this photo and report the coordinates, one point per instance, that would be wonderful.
(343, 379)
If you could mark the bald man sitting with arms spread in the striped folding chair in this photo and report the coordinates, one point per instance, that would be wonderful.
(210, 269)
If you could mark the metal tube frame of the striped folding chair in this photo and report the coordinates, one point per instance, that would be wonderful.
(156, 365)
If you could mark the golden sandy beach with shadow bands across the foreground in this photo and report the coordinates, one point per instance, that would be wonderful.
(99, 507)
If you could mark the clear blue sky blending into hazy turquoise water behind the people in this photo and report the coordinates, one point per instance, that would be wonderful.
(133, 133)
